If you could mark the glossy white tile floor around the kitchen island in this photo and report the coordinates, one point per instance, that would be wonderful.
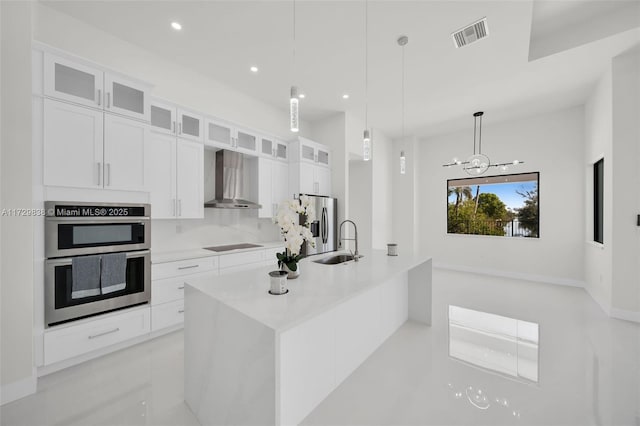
(588, 370)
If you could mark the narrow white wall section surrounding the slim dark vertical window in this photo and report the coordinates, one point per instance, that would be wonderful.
(598, 140)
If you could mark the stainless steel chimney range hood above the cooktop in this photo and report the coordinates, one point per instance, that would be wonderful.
(231, 184)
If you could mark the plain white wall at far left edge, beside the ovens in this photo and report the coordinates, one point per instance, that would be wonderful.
(16, 353)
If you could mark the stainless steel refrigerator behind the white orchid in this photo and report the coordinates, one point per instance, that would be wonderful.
(324, 228)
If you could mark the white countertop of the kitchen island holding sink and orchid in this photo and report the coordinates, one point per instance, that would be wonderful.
(319, 287)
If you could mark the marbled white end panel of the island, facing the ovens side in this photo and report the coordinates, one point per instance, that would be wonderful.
(229, 364)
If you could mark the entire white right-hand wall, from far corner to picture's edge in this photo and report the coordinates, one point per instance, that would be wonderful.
(612, 126)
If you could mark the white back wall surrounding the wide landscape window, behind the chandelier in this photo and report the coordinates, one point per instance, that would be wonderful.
(552, 144)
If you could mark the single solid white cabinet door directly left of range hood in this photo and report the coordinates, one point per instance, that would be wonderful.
(190, 179)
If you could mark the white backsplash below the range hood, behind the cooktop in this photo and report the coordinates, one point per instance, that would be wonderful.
(219, 227)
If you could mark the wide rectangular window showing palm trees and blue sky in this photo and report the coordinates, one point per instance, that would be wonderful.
(505, 205)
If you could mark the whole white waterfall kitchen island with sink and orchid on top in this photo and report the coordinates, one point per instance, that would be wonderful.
(254, 358)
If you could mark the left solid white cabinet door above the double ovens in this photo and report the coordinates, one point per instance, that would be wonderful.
(73, 140)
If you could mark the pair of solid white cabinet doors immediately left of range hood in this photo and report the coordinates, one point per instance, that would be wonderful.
(175, 172)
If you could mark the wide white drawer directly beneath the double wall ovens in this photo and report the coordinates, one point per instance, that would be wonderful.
(95, 334)
